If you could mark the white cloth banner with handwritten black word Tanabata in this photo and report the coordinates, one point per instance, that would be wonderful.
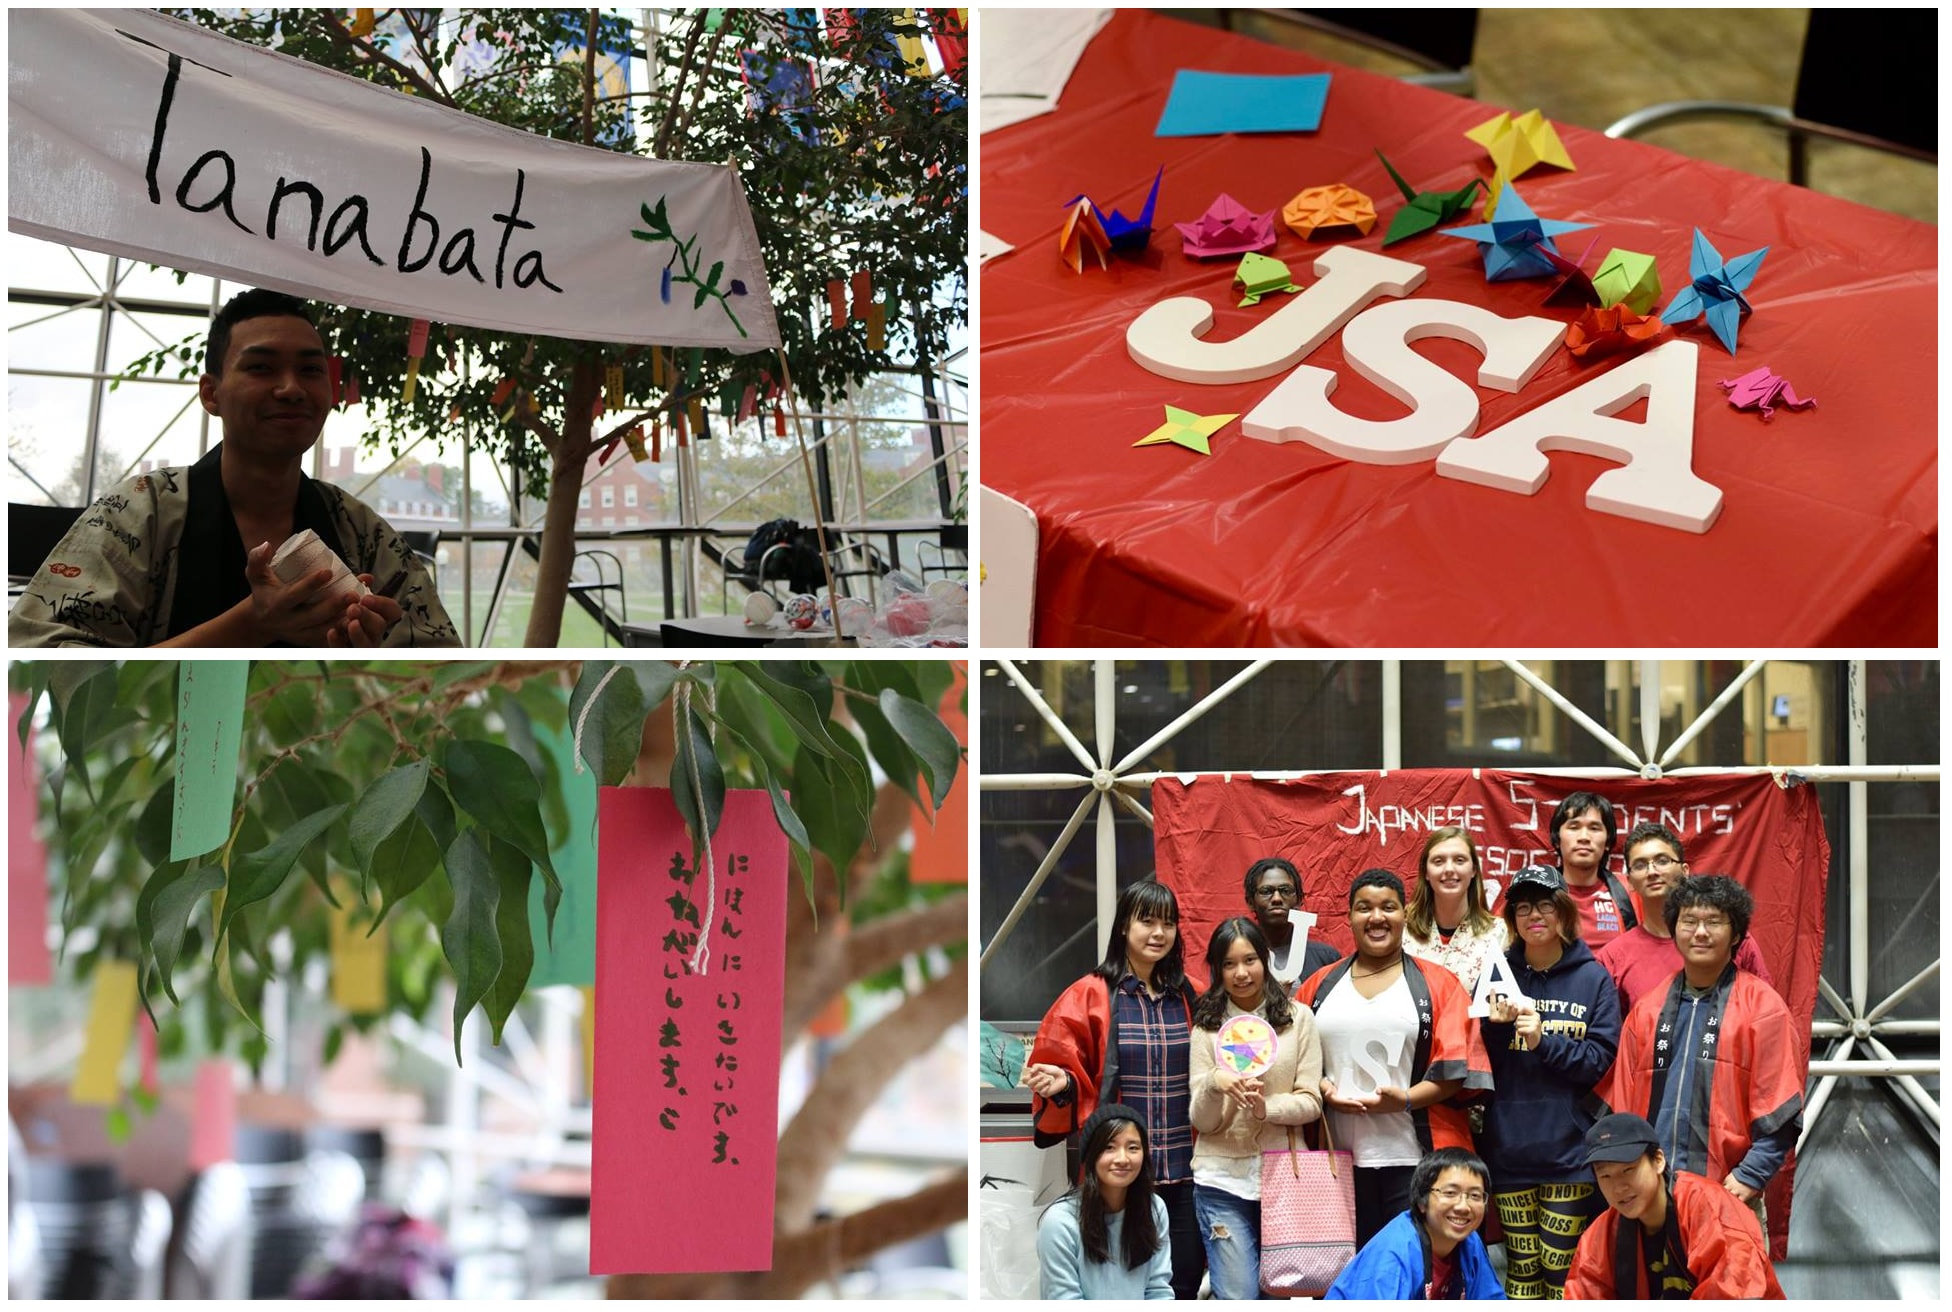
(159, 142)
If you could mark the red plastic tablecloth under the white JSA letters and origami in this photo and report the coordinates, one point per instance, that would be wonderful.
(1830, 520)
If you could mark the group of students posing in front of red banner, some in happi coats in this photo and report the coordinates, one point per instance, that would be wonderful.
(1652, 1081)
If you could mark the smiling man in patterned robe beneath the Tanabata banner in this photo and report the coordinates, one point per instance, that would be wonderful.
(183, 557)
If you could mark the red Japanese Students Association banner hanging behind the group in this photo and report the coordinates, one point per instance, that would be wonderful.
(1338, 825)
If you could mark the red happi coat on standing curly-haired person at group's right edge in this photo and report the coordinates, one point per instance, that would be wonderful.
(1752, 1086)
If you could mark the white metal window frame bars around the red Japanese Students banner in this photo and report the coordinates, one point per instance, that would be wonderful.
(1859, 1022)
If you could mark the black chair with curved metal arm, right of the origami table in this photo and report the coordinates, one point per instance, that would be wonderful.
(1834, 97)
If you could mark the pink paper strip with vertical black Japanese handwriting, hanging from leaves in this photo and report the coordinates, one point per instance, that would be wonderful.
(692, 971)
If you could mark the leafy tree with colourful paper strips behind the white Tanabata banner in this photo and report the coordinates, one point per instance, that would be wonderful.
(860, 169)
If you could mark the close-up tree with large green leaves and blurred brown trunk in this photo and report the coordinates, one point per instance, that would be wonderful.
(427, 799)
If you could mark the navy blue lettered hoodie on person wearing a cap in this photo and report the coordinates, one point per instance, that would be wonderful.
(1535, 1126)
